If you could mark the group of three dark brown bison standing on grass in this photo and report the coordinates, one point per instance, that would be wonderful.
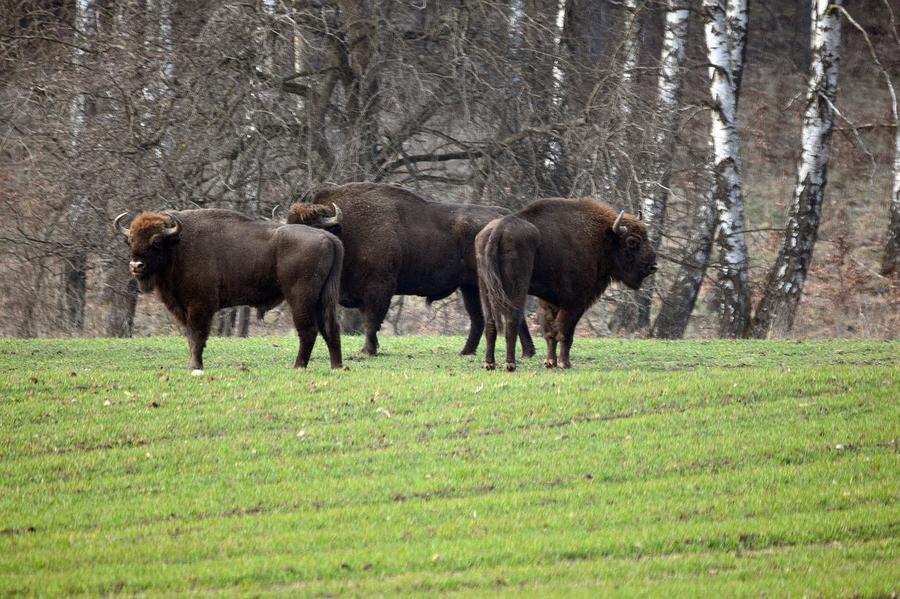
(359, 244)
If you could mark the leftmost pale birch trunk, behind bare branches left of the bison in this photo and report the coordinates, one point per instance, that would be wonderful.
(75, 264)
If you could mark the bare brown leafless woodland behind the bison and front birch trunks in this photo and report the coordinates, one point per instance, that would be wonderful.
(115, 105)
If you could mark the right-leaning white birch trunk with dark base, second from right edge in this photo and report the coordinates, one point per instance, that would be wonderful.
(784, 286)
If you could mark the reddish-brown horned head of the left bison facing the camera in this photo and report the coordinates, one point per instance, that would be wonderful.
(151, 238)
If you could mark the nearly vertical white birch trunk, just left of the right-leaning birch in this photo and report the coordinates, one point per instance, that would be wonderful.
(735, 299)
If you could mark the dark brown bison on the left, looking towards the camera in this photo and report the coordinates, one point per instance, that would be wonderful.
(199, 261)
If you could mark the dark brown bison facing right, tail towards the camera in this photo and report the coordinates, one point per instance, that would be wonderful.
(565, 252)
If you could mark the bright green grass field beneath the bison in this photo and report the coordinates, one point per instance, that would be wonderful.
(652, 468)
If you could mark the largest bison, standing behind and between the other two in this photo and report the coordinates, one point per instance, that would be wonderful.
(397, 243)
